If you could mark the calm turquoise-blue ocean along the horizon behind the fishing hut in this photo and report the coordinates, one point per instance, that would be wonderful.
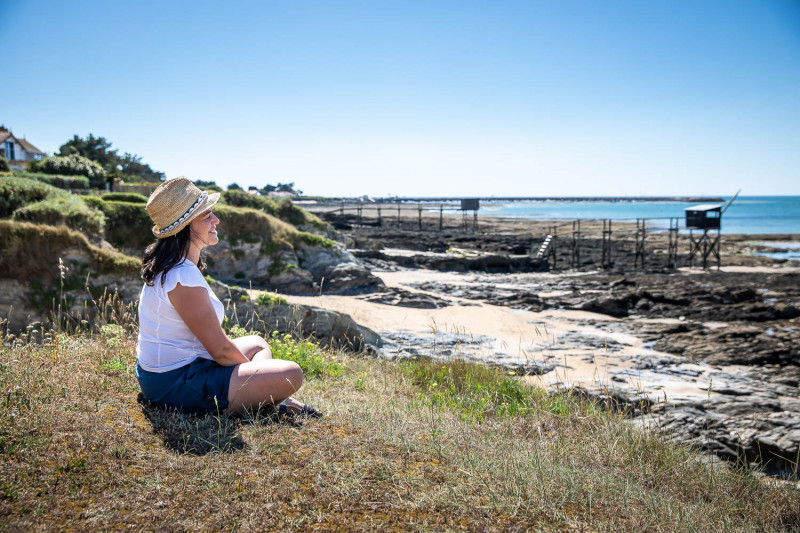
(748, 214)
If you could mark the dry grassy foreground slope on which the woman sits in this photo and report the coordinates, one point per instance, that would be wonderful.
(413, 446)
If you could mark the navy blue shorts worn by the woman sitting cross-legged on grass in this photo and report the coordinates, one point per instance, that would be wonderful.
(200, 387)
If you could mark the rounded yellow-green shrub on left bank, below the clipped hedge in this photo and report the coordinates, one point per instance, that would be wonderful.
(68, 210)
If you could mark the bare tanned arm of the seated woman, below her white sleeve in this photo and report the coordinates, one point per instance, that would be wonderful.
(194, 306)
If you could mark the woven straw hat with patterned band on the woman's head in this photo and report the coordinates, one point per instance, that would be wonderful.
(175, 203)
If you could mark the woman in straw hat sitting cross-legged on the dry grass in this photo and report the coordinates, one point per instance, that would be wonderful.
(184, 358)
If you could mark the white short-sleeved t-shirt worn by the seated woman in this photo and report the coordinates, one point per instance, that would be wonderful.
(165, 341)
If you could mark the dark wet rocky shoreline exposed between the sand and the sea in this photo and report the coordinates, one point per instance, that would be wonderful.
(717, 361)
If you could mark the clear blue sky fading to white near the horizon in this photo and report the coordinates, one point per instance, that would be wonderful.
(421, 98)
